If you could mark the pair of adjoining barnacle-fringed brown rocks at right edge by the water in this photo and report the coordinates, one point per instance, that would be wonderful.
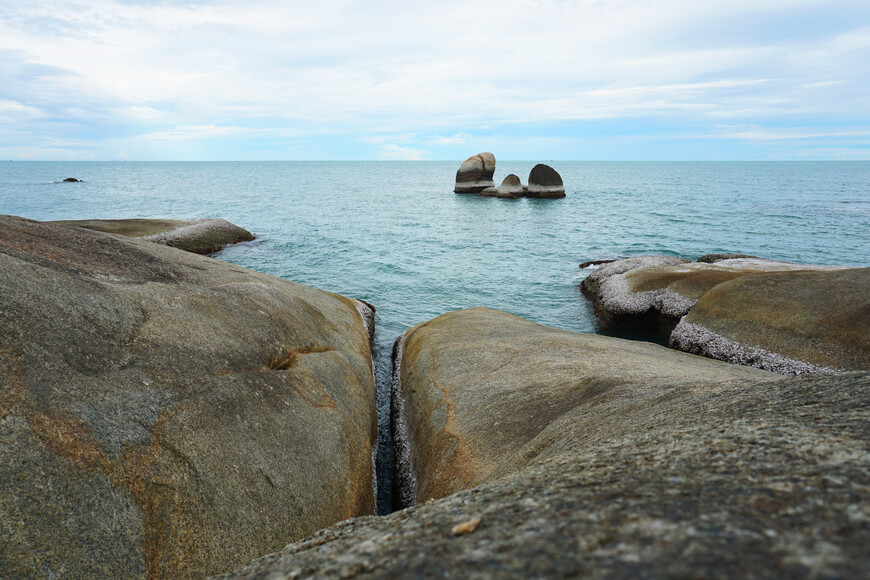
(789, 318)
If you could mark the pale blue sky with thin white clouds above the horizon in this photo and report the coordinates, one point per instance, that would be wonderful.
(525, 79)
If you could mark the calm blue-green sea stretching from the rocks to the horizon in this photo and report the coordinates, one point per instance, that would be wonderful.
(395, 234)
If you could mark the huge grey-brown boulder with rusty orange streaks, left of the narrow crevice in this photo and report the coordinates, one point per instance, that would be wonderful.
(168, 415)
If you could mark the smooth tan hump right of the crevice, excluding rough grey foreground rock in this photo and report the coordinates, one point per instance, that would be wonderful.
(483, 391)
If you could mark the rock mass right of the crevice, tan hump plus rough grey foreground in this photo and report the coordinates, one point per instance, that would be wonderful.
(597, 465)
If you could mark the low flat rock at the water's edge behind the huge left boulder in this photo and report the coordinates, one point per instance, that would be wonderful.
(203, 236)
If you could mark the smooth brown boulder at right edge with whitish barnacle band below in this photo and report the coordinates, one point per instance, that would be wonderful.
(787, 322)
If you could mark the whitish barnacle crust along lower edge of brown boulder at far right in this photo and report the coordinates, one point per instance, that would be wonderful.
(696, 339)
